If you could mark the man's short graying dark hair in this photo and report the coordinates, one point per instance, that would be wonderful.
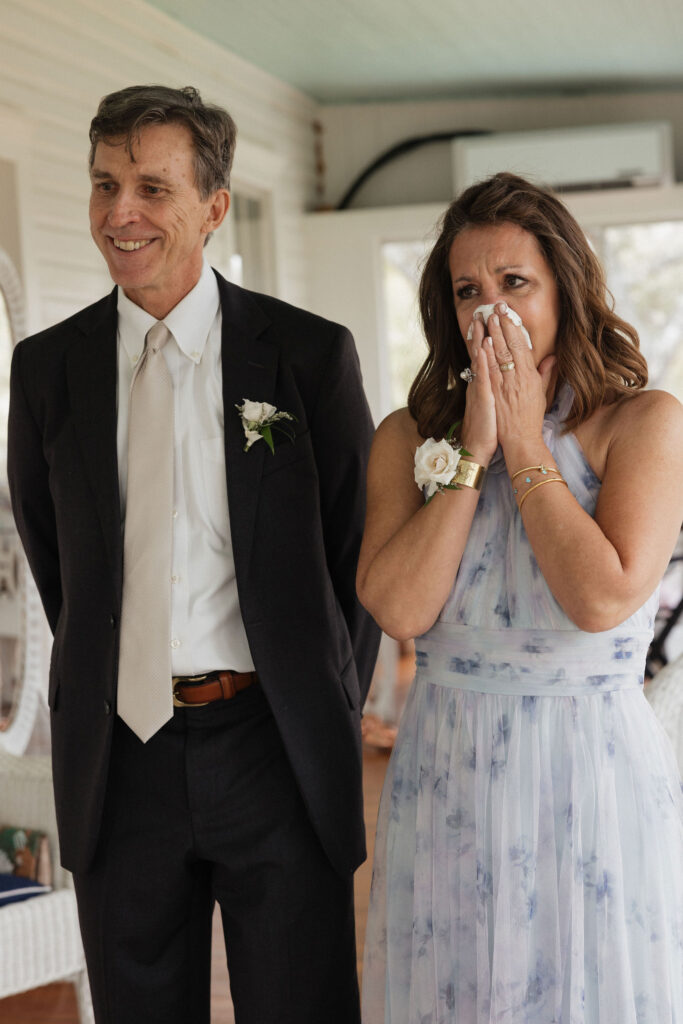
(123, 115)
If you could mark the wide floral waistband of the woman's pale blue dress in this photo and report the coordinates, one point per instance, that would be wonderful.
(534, 663)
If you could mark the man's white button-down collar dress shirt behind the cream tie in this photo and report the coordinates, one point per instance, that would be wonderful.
(207, 631)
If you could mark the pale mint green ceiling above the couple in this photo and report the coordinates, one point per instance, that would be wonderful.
(349, 51)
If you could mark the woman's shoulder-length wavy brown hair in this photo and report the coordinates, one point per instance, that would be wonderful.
(597, 353)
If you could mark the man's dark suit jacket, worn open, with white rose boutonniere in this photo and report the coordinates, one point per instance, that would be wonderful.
(296, 521)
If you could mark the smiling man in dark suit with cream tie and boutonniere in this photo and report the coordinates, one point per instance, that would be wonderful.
(197, 567)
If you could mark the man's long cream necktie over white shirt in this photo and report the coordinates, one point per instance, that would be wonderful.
(145, 700)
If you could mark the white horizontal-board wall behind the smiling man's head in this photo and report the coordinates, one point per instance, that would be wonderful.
(57, 61)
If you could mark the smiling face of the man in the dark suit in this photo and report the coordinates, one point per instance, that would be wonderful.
(148, 218)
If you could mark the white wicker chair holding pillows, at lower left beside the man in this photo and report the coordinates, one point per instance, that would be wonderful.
(40, 942)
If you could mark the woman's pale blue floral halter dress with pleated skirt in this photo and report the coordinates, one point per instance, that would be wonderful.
(529, 865)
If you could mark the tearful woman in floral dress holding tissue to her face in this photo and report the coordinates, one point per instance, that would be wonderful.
(530, 844)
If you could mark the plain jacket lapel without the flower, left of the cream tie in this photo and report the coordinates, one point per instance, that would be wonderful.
(93, 376)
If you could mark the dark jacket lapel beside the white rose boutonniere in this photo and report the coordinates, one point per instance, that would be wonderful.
(250, 368)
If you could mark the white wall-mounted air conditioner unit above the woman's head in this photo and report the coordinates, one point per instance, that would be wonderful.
(571, 159)
